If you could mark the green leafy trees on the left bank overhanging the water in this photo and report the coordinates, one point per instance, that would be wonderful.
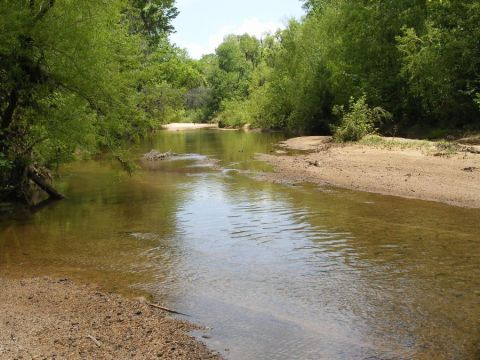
(79, 77)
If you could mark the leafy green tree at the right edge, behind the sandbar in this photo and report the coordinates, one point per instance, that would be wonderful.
(441, 63)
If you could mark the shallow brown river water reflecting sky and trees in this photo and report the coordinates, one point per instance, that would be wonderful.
(278, 272)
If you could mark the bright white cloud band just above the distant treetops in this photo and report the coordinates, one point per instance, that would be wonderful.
(251, 26)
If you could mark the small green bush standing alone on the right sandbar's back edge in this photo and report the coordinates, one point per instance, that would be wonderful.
(358, 121)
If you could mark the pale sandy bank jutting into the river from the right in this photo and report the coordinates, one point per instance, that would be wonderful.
(401, 167)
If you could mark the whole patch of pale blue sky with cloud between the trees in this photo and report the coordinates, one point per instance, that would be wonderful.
(202, 24)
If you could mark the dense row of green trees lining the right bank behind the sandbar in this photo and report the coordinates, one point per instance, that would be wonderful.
(409, 67)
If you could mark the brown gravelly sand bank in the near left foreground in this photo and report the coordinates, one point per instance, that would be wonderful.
(46, 319)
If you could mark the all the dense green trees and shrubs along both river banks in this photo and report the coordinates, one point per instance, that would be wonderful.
(82, 77)
